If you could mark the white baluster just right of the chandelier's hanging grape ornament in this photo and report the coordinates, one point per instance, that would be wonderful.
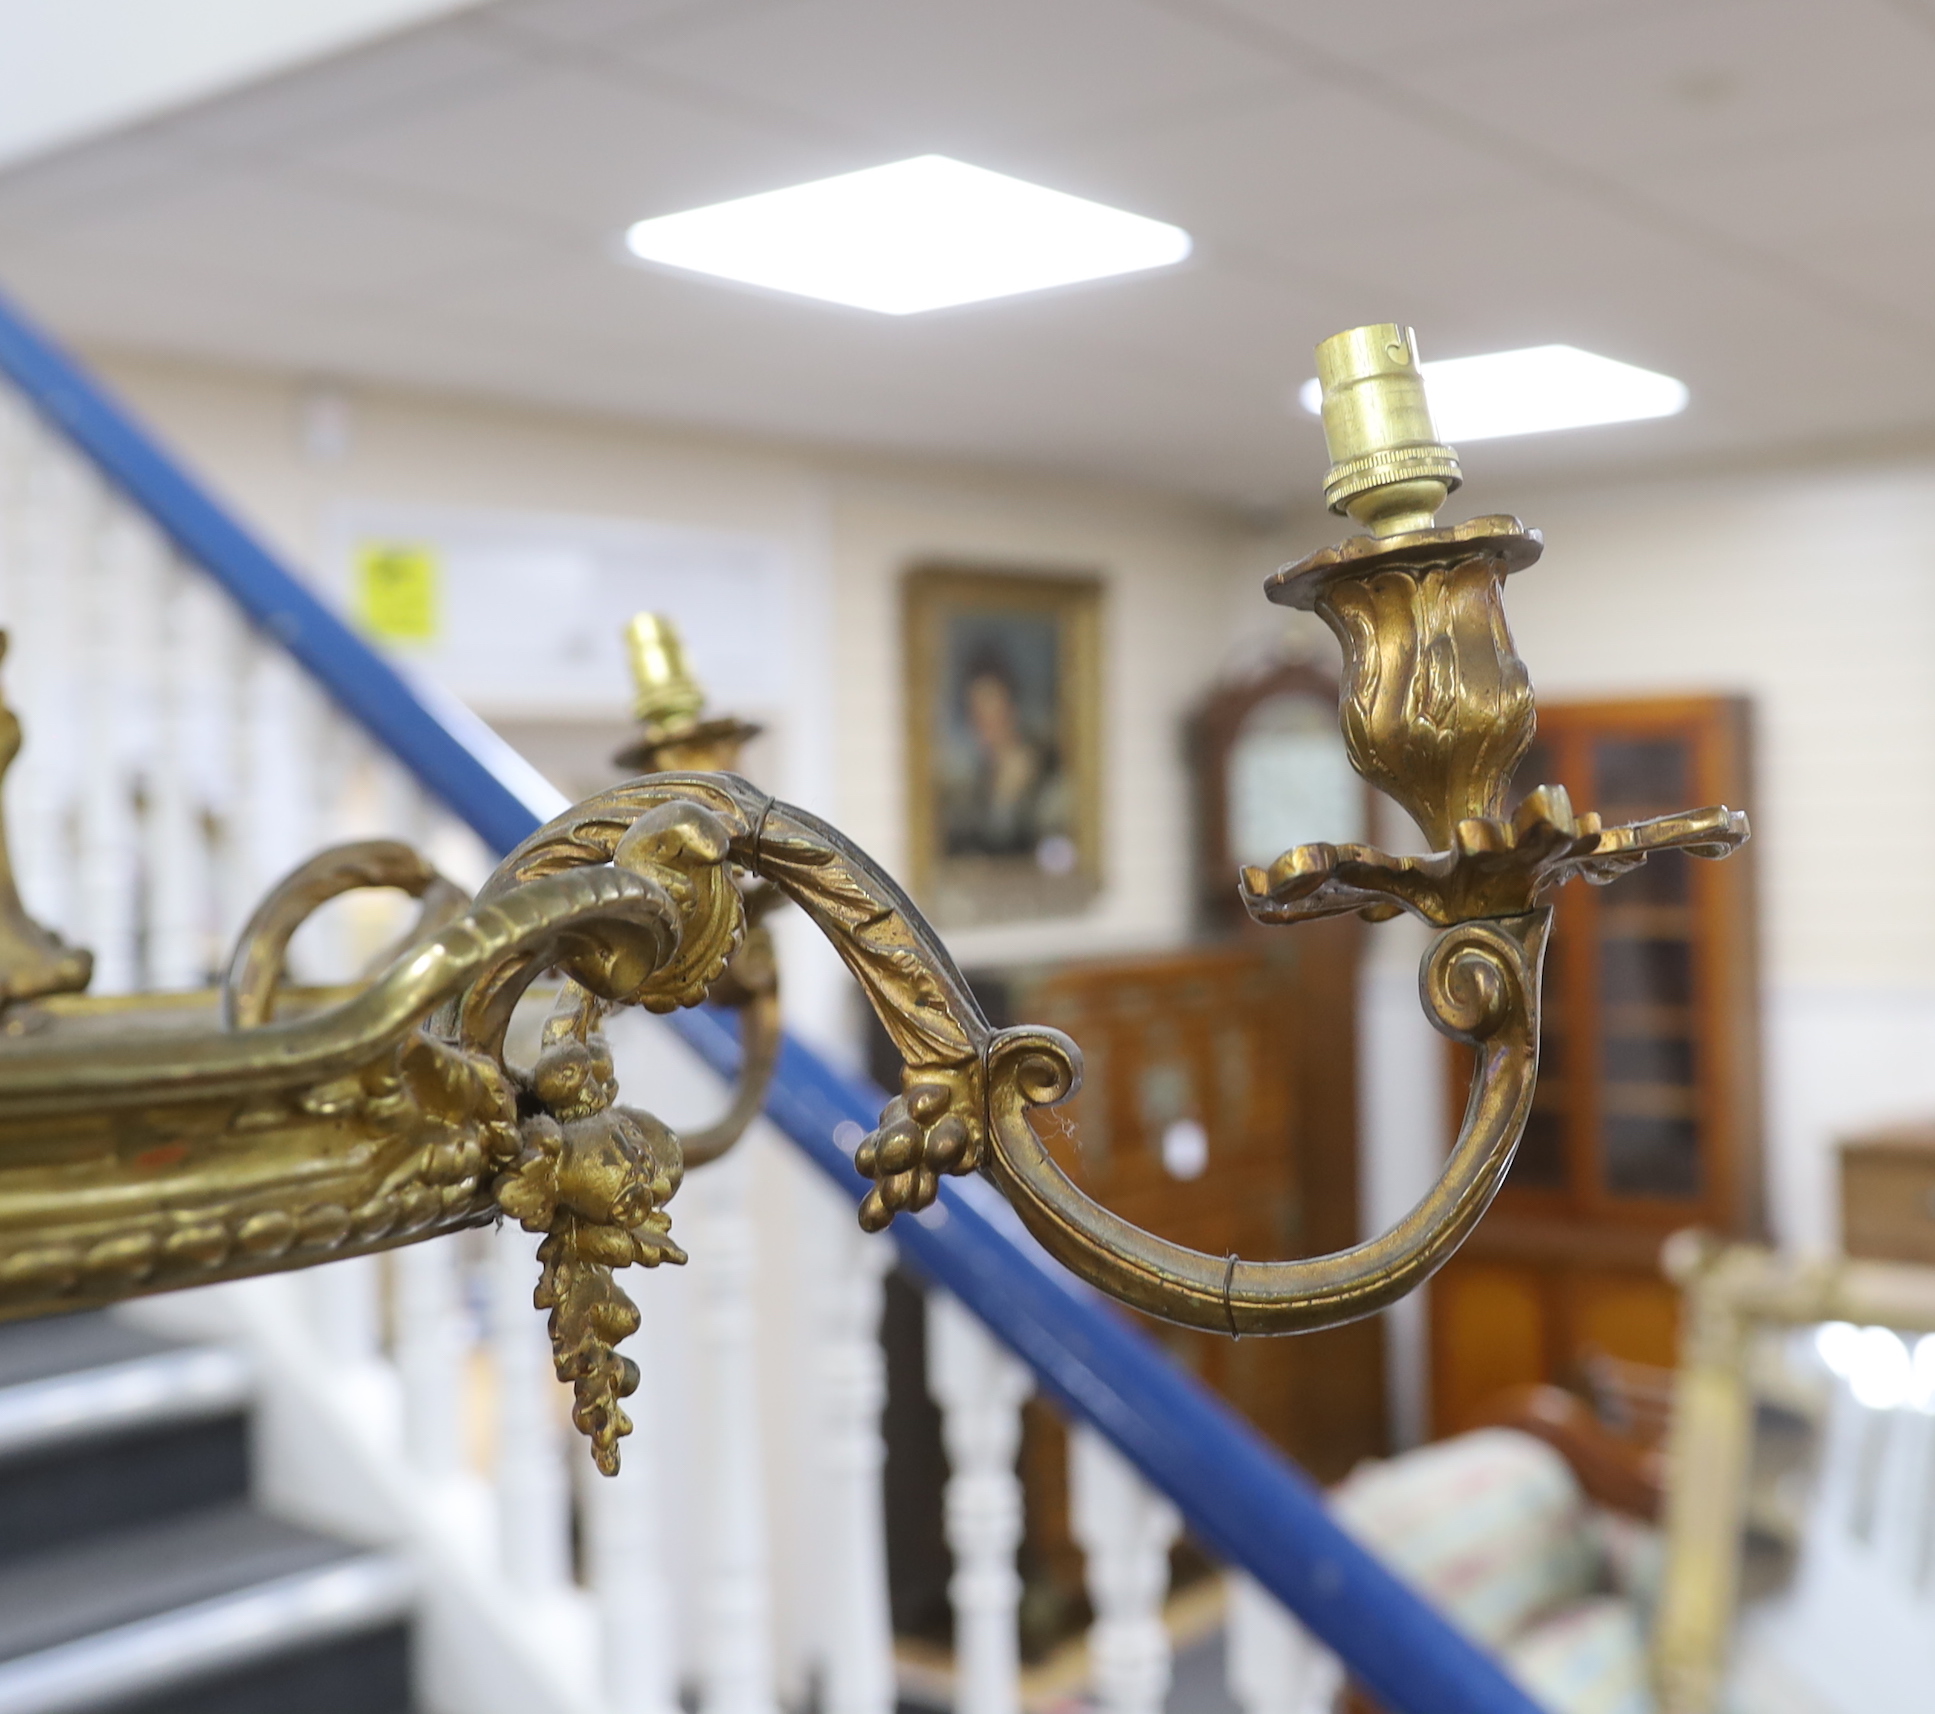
(734, 1605)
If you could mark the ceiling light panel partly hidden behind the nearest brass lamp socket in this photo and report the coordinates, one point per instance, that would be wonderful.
(1535, 390)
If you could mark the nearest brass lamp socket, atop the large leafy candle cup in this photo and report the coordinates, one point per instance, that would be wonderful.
(1390, 471)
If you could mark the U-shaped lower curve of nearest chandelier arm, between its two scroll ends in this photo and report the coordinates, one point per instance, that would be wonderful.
(1479, 986)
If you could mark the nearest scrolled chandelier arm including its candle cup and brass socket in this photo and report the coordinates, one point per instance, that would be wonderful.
(1437, 713)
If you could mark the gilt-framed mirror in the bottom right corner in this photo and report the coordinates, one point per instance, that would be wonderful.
(1853, 1614)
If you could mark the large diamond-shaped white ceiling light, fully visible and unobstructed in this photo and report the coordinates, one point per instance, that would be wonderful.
(908, 237)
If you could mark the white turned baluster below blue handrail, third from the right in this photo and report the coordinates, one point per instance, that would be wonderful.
(980, 1390)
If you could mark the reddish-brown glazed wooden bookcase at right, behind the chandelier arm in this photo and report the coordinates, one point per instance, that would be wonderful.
(1648, 1109)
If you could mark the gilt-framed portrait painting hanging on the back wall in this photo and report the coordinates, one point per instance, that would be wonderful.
(1003, 744)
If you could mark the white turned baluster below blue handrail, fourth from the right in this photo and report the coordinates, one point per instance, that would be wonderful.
(848, 1270)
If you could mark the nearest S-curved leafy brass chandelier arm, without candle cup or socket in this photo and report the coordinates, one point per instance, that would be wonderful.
(967, 1090)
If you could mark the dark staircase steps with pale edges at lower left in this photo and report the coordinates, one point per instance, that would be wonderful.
(138, 1576)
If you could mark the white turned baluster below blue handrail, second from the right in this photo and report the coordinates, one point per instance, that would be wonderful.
(1125, 1529)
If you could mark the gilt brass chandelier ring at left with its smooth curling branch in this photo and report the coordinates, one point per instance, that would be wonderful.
(343, 1131)
